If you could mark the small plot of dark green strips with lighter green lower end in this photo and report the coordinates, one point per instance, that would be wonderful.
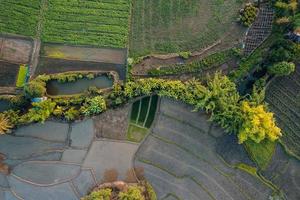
(141, 118)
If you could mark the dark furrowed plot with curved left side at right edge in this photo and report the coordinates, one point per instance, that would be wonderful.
(283, 98)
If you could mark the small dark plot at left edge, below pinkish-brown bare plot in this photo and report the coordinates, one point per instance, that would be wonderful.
(8, 74)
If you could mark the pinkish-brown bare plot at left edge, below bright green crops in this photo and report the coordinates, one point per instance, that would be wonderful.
(15, 50)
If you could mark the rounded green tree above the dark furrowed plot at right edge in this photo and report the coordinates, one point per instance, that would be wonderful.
(282, 68)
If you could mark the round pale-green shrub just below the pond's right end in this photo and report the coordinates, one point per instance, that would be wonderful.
(94, 106)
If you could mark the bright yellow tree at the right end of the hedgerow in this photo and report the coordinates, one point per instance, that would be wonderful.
(258, 124)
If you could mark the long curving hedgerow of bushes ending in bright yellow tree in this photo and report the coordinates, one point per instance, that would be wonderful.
(218, 97)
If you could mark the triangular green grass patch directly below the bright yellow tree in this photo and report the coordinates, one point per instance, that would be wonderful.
(261, 153)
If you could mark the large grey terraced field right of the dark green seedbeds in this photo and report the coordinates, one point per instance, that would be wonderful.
(180, 159)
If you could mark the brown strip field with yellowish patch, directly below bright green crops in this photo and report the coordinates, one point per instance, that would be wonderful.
(104, 55)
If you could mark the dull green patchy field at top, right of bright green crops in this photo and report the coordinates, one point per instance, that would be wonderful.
(163, 26)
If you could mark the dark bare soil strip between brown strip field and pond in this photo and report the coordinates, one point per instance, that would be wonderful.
(51, 66)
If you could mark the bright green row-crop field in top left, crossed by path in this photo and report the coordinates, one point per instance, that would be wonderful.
(101, 23)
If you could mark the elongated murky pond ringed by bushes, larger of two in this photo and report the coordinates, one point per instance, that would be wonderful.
(56, 88)
